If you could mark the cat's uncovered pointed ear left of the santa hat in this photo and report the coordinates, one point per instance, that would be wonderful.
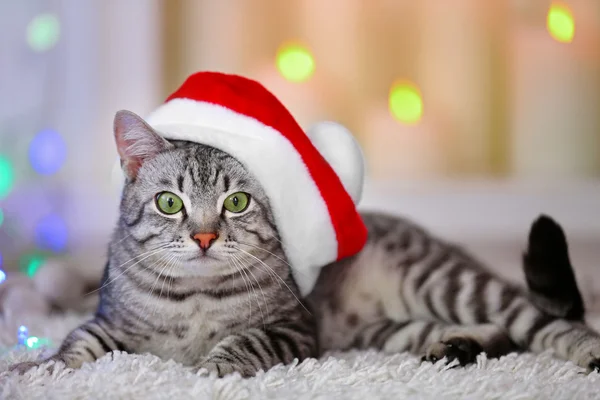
(136, 141)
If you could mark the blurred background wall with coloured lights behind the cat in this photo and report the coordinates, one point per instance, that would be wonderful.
(474, 116)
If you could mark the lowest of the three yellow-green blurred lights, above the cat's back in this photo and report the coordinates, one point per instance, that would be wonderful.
(405, 102)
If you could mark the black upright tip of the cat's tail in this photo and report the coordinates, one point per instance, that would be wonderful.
(549, 273)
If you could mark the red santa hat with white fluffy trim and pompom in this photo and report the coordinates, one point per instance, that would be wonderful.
(313, 180)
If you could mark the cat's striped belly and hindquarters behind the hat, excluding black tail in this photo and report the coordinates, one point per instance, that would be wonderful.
(408, 291)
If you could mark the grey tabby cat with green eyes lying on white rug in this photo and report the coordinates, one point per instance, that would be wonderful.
(227, 302)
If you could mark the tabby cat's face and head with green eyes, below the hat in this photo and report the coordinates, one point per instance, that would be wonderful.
(188, 207)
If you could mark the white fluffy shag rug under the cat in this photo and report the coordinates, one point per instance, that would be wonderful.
(356, 375)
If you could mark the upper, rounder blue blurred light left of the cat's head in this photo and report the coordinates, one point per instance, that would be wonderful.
(47, 152)
